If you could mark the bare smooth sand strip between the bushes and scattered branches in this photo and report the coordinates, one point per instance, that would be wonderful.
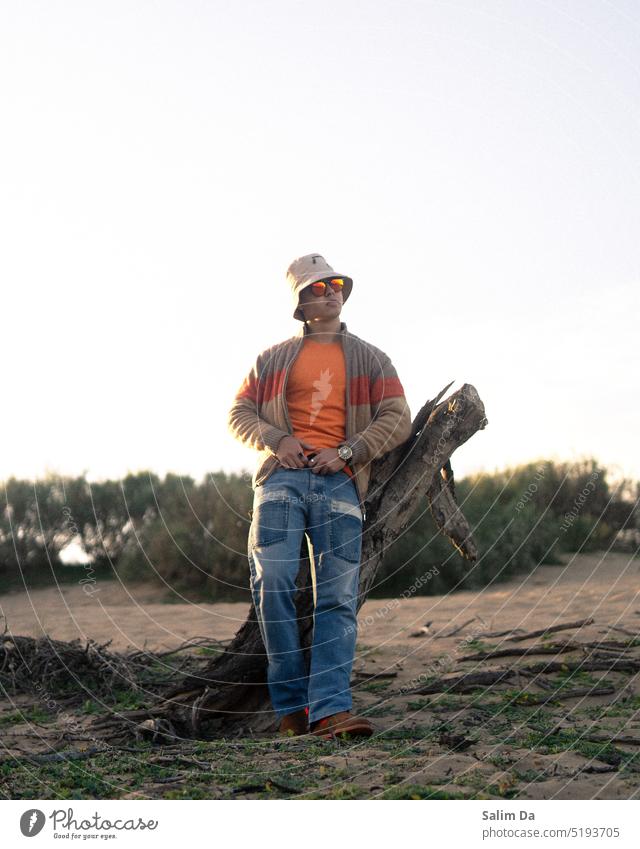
(607, 588)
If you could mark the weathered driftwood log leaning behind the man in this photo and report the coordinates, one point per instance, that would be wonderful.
(231, 693)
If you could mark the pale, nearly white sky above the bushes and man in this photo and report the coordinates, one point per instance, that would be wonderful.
(472, 165)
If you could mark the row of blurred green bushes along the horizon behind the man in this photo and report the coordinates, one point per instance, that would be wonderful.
(192, 537)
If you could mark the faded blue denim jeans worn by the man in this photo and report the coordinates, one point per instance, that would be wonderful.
(290, 503)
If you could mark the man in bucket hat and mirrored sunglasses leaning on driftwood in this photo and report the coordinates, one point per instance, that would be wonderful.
(319, 407)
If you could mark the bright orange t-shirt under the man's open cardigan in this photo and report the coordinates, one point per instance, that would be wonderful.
(316, 397)
